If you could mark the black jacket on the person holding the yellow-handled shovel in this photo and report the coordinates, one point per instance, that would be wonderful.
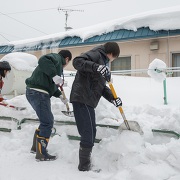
(88, 85)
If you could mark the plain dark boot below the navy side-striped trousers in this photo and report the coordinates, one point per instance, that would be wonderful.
(84, 159)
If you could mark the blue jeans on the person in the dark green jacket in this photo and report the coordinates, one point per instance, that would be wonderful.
(42, 105)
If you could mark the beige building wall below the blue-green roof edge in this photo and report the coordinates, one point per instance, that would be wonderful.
(139, 51)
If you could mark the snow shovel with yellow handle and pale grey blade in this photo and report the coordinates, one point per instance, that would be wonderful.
(127, 125)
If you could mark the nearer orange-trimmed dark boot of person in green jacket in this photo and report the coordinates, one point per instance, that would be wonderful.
(41, 152)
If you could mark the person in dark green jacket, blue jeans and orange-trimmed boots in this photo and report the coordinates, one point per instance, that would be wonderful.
(41, 86)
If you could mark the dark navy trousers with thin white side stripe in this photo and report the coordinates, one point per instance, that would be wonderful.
(86, 124)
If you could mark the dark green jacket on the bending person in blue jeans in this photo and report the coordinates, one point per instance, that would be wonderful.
(49, 66)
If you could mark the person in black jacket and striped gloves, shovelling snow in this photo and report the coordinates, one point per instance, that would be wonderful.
(88, 87)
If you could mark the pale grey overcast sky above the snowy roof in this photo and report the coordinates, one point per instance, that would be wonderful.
(20, 19)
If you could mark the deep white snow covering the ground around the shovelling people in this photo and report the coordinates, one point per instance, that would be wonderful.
(127, 155)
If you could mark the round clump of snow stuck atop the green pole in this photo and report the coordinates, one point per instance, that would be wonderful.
(156, 70)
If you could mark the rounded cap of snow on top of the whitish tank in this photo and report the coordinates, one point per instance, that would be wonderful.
(21, 61)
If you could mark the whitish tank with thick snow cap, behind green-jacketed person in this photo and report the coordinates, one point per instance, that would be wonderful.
(22, 65)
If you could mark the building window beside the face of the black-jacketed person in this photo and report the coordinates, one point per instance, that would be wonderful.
(121, 63)
